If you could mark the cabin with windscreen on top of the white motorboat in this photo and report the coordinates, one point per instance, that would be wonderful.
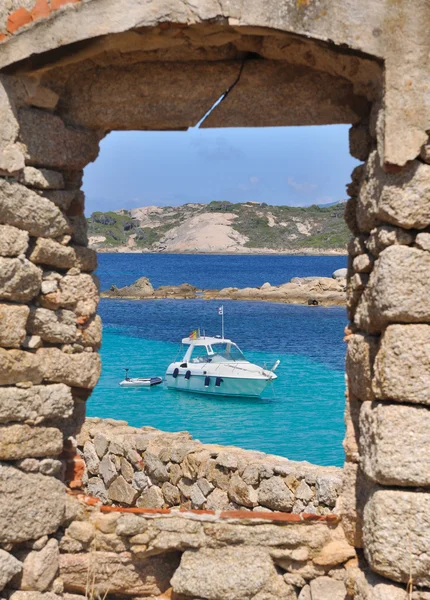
(211, 349)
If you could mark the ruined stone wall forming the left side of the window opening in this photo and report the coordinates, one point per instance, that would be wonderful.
(49, 332)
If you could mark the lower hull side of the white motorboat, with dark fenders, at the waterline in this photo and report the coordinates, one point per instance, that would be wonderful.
(229, 386)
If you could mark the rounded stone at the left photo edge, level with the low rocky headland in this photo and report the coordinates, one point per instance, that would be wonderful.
(20, 280)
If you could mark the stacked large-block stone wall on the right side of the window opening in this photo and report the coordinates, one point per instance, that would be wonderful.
(385, 498)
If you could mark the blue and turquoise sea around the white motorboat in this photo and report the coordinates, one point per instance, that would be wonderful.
(300, 416)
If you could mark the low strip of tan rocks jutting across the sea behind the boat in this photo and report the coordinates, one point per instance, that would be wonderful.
(326, 291)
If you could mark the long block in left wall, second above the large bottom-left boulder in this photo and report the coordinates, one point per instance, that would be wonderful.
(35, 404)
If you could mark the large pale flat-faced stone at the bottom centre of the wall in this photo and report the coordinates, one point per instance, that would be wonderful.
(234, 573)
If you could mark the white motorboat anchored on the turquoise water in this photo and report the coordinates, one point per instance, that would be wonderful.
(215, 365)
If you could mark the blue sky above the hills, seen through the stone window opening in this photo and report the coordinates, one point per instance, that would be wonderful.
(297, 166)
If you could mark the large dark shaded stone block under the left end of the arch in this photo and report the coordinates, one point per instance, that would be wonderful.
(48, 142)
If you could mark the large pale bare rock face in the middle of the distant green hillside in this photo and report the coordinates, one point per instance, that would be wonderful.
(208, 232)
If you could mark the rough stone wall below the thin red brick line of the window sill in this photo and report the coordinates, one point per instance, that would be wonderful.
(171, 554)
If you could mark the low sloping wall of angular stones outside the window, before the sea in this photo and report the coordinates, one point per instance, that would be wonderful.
(127, 466)
